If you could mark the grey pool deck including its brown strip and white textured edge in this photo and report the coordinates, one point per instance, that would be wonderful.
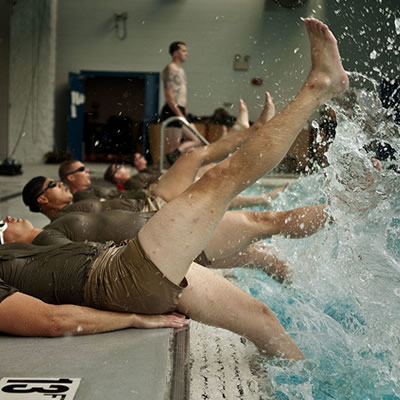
(135, 363)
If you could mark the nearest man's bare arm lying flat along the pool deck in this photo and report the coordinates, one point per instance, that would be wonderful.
(24, 315)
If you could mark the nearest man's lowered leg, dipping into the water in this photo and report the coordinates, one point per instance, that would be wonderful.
(213, 300)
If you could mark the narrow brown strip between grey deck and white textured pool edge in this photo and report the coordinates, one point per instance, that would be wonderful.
(180, 378)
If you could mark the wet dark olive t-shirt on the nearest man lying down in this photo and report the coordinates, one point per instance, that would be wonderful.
(55, 274)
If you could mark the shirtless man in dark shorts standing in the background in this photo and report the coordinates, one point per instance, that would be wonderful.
(175, 90)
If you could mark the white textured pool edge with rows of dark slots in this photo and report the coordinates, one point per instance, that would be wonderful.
(223, 365)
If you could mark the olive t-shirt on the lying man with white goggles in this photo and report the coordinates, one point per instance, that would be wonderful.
(115, 225)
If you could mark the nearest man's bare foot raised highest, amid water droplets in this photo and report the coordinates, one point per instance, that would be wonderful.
(327, 76)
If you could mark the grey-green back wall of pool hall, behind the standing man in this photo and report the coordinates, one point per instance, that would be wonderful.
(215, 30)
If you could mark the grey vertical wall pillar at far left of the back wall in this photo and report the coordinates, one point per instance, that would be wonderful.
(32, 66)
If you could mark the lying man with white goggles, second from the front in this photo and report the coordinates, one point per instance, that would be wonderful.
(234, 243)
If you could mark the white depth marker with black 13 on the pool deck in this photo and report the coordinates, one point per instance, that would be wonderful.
(38, 388)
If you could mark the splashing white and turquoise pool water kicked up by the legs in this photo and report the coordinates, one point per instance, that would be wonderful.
(343, 309)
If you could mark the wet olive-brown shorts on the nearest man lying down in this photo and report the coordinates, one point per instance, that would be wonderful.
(124, 279)
